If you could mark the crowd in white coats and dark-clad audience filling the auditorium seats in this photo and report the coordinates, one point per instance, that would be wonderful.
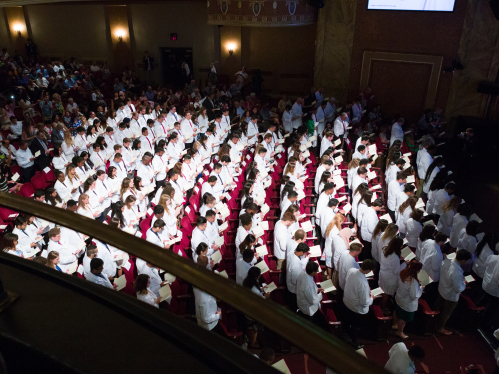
(290, 196)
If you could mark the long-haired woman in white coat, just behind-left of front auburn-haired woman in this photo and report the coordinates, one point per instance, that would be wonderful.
(389, 270)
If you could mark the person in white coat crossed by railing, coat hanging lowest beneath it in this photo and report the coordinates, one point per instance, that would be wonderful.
(207, 312)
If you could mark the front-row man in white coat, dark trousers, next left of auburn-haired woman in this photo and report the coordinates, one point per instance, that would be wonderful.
(357, 299)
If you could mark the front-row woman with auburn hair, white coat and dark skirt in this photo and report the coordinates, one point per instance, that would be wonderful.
(408, 293)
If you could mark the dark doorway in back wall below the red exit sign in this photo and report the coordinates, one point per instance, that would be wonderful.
(172, 59)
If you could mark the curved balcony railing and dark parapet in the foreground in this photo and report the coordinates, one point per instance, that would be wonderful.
(331, 351)
